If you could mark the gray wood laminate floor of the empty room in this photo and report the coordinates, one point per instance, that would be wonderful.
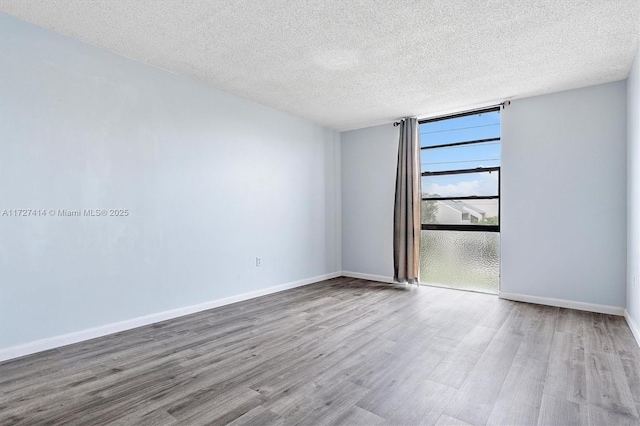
(345, 352)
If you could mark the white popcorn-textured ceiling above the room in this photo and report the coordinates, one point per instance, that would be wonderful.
(357, 63)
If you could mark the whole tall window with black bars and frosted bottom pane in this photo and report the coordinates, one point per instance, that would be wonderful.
(460, 167)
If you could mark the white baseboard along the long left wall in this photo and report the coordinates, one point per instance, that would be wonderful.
(92, 333)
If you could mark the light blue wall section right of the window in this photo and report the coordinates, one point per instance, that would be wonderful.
(563, 199)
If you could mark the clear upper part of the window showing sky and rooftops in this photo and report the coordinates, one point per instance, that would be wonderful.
(460, 165)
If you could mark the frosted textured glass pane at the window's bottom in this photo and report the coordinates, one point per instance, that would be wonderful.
(463, 260)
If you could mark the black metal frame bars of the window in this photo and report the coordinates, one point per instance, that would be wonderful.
(463, 227)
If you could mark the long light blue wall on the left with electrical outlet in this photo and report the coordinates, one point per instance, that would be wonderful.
(211, 181)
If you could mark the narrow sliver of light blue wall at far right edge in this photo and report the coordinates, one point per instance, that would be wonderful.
(633, 191)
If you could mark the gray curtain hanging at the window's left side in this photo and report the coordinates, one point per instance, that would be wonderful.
(406, 214)
